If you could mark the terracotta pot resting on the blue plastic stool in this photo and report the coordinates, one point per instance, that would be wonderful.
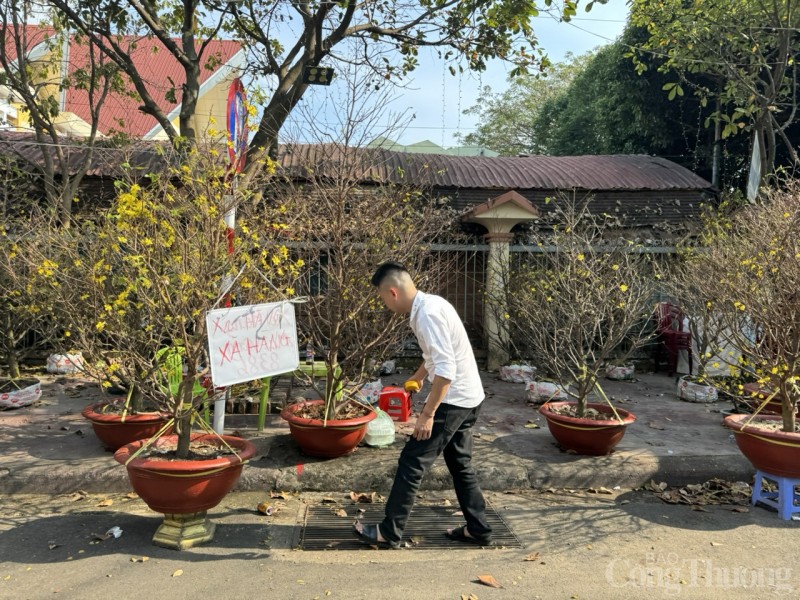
(774, 452)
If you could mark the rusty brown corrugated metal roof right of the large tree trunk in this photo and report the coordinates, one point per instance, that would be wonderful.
(605, 172)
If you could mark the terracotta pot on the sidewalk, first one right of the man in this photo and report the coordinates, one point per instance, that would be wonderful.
(586, 436)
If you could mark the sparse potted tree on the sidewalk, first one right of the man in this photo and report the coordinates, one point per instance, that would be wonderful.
(583, 297)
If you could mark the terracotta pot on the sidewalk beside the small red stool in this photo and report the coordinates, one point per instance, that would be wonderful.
(329, 440)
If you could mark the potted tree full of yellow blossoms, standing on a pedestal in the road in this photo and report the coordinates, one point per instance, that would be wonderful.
(139, 279)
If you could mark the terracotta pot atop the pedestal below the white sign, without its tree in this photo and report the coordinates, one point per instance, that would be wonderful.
(185, 486)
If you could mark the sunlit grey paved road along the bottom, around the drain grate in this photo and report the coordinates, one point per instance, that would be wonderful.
(579, 545)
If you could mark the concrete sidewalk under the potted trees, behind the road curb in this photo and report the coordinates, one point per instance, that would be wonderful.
(49, 448)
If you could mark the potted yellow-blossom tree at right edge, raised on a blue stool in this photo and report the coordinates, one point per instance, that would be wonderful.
(758, 274)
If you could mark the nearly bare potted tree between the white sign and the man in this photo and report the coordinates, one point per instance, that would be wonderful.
(344, 226)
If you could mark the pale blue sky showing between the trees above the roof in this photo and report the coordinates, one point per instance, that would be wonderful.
(436, 100)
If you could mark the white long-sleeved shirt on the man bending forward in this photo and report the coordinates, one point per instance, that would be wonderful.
(446, 349)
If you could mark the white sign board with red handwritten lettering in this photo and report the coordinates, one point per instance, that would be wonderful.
(251, 342)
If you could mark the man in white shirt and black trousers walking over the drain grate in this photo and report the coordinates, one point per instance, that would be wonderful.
(444, 425)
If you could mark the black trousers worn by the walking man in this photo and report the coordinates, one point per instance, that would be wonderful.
(451, 436)
